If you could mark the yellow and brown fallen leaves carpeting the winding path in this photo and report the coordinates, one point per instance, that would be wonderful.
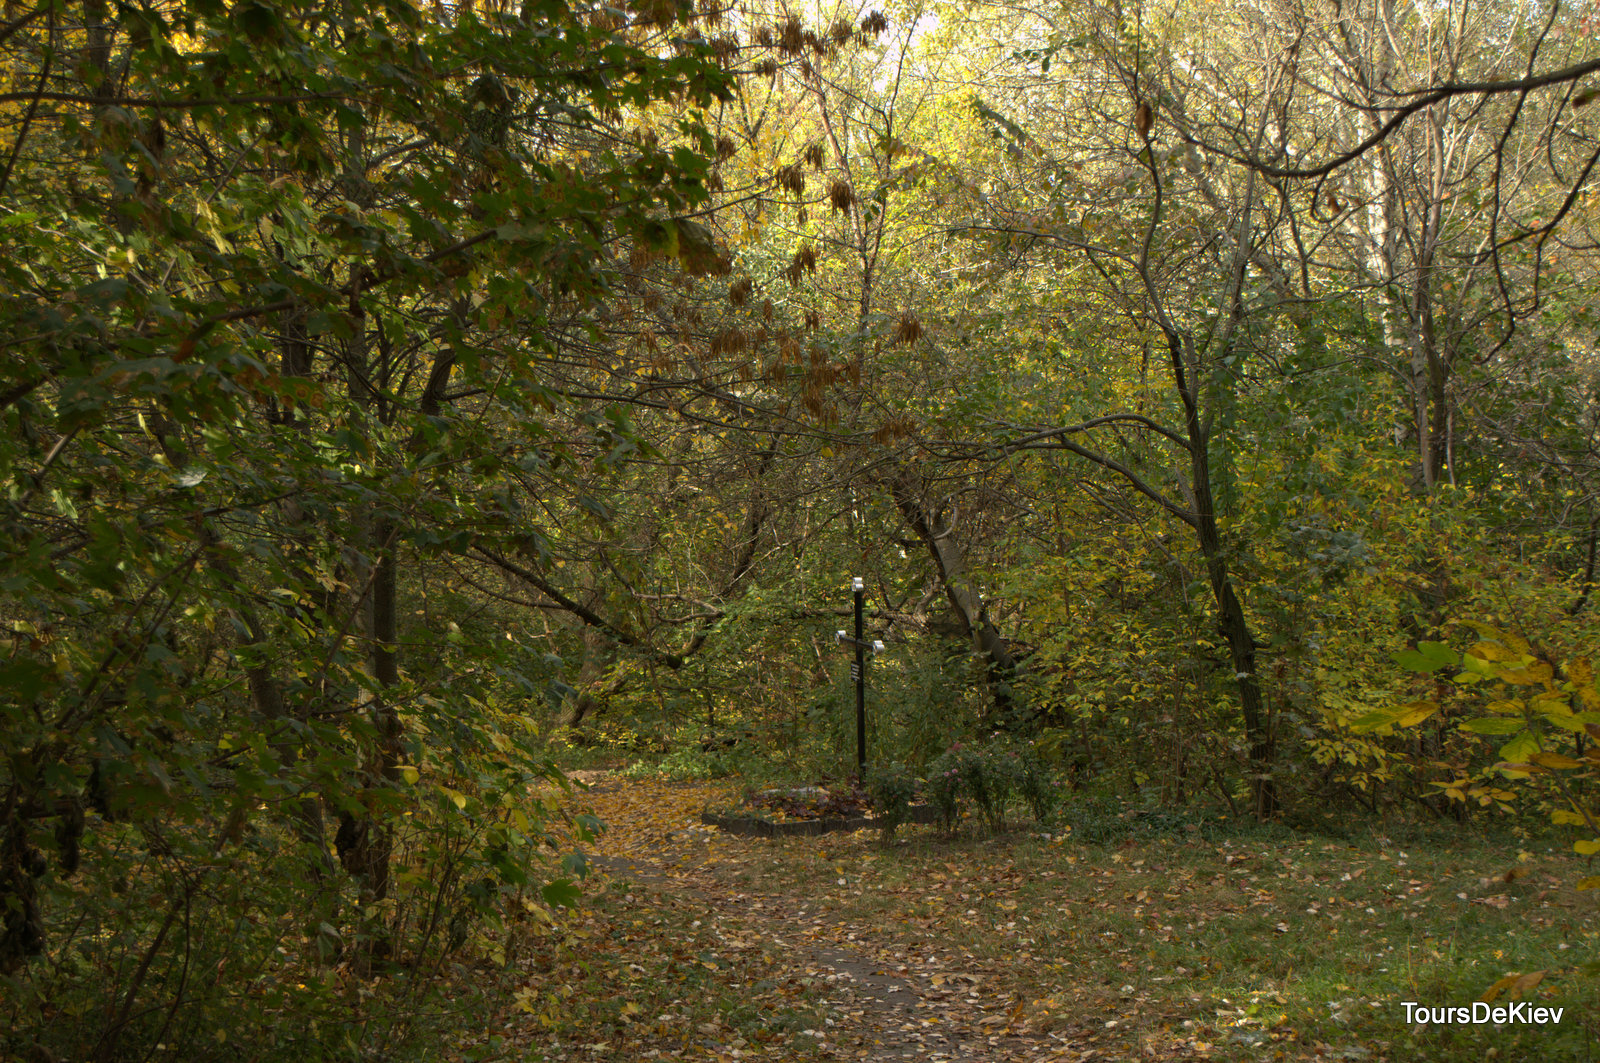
(873, 997)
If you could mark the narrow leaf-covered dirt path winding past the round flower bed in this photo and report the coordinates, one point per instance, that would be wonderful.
(884, 1003)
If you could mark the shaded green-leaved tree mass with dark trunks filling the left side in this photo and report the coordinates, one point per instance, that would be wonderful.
(278, 291)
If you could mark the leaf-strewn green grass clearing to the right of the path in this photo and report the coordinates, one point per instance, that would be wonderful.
(1231, 941)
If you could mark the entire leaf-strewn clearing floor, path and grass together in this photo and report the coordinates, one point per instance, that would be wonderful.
(1158, 937)
